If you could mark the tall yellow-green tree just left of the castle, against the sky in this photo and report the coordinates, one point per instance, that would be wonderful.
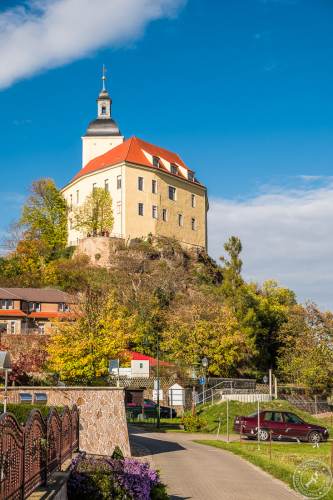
(44, 216)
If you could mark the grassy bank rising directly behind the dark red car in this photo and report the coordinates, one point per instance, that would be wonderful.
(212, 413)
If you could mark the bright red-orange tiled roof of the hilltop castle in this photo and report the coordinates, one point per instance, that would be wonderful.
(131, 151)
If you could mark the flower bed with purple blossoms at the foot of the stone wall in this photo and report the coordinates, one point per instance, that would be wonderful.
(113, 477)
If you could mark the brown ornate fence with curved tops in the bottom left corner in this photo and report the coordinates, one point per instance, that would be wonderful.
(30, 453)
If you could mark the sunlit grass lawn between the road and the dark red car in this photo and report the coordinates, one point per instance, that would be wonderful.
(285, 456)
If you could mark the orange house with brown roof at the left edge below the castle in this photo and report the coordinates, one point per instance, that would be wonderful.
(31, 310)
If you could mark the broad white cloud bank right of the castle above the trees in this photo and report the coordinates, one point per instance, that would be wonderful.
(286, 236)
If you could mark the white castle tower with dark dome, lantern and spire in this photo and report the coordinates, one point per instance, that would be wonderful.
(102, 133)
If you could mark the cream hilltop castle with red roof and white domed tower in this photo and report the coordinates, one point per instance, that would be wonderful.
(154, 192)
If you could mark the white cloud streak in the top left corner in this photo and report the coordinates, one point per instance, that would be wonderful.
(43, 34)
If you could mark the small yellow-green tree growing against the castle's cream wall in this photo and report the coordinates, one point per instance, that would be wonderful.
(95, 216)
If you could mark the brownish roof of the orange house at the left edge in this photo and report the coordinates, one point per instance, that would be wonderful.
(36, 295)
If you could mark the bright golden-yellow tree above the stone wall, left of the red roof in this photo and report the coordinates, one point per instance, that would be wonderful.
(79, 350)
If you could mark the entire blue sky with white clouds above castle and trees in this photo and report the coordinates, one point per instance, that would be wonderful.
(242, 89)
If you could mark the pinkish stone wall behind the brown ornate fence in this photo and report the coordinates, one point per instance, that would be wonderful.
(103, 423)
